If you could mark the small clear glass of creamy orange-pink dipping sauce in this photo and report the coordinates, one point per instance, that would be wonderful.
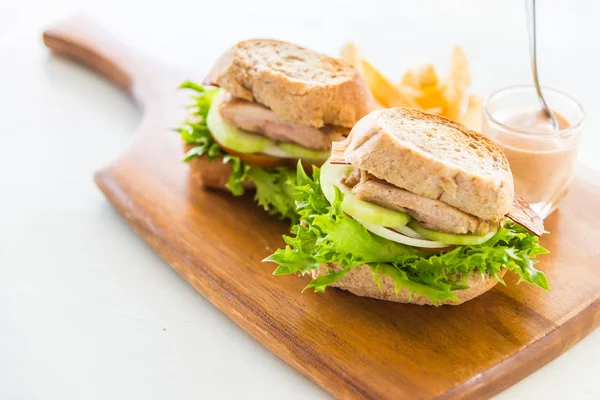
(541, 159)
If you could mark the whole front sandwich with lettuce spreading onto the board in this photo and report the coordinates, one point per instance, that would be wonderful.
(412, 208)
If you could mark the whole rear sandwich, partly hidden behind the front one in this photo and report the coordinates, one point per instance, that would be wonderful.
(265, 105)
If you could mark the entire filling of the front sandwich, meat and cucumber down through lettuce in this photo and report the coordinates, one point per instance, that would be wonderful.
(339, 232)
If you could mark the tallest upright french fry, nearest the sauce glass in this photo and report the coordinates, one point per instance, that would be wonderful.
(456, 83)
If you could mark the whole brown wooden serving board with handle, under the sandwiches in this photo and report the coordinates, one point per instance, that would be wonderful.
(354, 347)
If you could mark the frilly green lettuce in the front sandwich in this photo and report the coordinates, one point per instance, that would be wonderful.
(327, 235)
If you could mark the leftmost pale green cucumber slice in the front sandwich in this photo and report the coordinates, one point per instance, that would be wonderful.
(331, 175)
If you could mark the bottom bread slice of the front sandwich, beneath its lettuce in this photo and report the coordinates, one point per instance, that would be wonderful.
(359, 281)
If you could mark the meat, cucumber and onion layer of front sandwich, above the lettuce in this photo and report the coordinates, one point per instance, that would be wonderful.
(425, 223)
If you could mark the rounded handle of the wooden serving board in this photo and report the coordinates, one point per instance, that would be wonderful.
(81, 40)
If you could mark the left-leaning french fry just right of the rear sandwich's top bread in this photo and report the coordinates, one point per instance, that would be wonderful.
(384, 91)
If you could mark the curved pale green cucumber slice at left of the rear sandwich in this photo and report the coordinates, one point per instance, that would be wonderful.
(232, 137)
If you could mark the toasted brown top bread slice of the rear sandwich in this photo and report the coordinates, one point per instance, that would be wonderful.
(300, 85)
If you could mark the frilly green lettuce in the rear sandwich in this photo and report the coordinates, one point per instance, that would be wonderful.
(274, 186)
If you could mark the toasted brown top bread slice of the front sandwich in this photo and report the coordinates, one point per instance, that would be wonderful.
(434, 157)
